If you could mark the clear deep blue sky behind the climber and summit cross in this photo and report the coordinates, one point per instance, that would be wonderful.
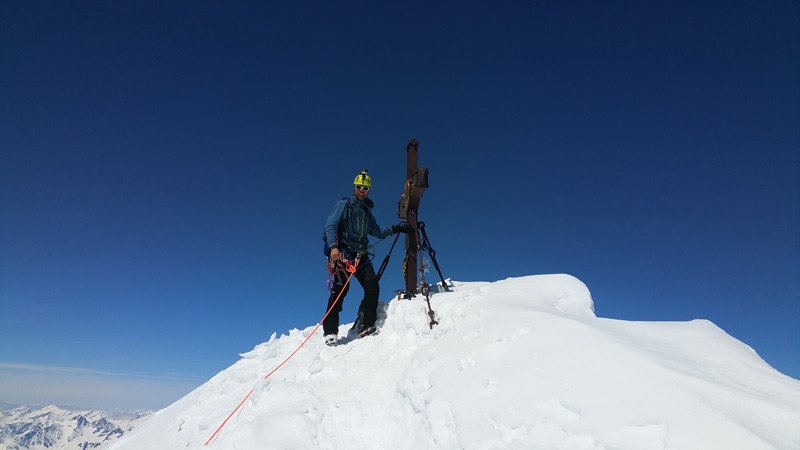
(167, 166)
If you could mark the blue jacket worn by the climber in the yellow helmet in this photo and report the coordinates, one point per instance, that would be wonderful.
(348, 227)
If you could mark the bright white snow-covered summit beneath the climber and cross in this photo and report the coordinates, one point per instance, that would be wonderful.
(518, 363)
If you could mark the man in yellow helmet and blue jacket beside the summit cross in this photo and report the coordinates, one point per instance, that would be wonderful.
(346, 237)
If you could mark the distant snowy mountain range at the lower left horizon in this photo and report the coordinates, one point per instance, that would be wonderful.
(54, 428)
